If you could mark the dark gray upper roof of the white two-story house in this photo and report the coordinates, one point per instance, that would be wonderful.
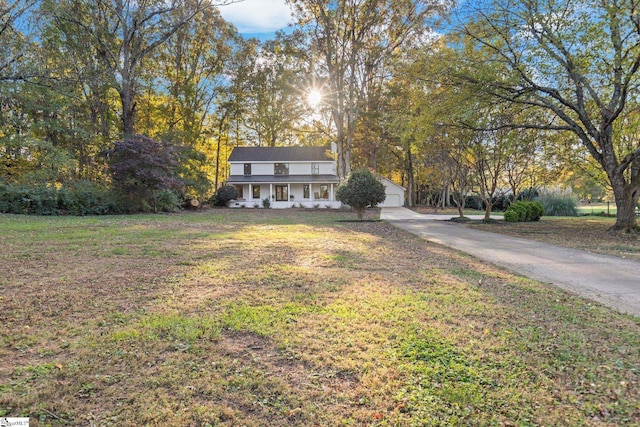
(279, 154)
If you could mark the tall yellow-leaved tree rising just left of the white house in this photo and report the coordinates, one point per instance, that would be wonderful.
(194, 73)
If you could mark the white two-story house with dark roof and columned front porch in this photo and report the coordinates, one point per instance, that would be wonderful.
(287, 176)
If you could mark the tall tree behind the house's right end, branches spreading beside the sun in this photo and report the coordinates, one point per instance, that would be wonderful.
(350, 39)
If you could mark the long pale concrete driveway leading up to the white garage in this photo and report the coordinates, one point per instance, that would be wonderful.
(612, 281)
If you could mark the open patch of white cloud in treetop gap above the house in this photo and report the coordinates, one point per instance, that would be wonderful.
(257, 16)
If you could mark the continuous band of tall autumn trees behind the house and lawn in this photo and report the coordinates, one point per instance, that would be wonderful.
(451, 101)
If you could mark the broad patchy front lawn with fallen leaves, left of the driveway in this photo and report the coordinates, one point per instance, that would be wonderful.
(292, 318)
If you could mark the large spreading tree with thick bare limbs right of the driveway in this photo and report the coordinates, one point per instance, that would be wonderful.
(578, 60)
